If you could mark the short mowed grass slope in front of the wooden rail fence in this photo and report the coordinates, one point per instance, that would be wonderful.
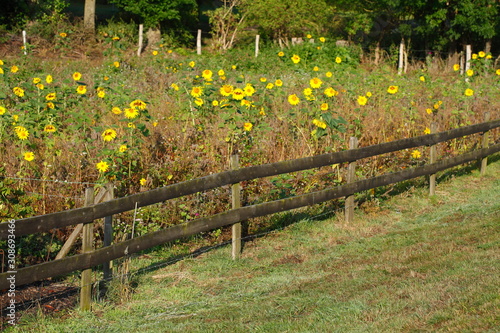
(411, 263)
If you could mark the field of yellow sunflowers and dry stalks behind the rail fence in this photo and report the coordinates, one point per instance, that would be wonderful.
(171, 115)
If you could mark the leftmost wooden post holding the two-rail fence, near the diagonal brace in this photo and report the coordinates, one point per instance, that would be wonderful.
(87, 246)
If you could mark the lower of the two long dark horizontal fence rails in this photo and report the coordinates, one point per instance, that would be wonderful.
(91, 259)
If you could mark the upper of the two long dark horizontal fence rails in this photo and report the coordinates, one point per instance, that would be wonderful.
(82, 215)
